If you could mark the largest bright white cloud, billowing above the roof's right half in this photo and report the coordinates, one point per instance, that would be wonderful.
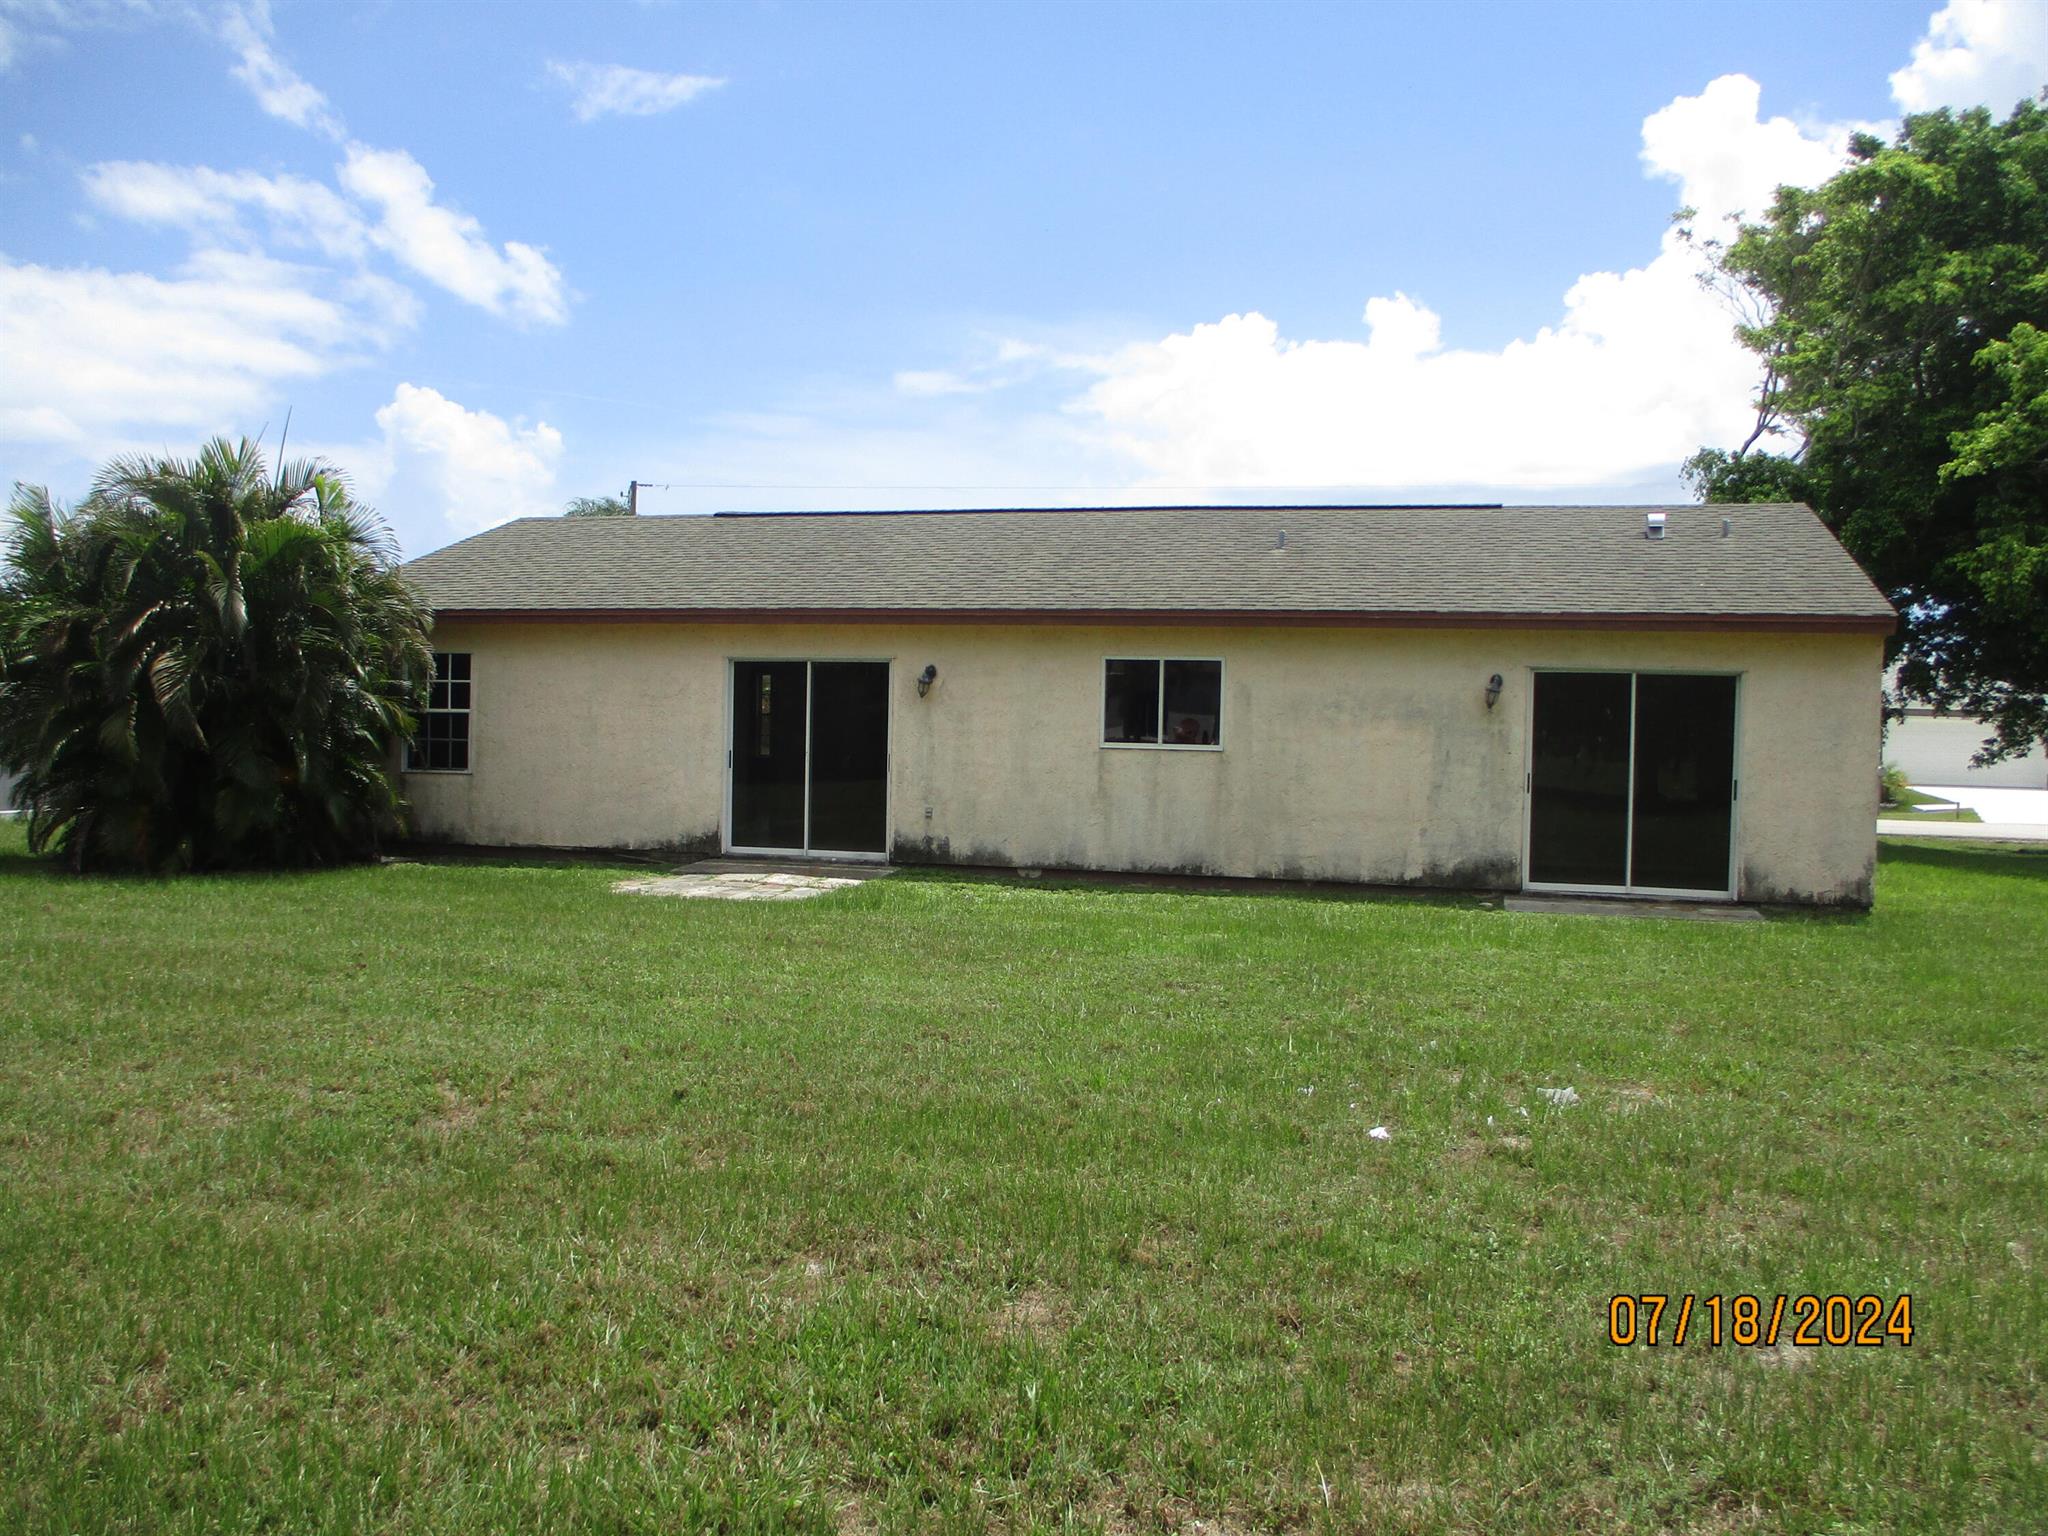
(1639, 368)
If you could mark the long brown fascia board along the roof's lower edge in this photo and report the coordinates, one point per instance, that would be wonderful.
(1191, 617)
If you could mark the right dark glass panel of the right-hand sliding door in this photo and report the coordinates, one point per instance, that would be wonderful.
(1684, 783)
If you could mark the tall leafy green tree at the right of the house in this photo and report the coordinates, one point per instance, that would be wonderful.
(1902, 312)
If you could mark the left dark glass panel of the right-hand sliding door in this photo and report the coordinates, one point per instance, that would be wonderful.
(1580, 779)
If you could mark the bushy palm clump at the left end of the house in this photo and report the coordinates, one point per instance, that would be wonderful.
(208, 667)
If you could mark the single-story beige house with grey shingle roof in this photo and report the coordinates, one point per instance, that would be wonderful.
(1629, 701)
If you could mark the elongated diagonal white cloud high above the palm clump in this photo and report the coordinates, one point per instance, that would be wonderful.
(450, 249)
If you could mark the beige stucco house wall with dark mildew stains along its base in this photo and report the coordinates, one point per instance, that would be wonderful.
(1351, 755)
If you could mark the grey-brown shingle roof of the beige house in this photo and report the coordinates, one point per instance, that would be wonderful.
(1338, 564)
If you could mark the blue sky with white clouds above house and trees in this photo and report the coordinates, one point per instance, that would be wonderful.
(785, 255)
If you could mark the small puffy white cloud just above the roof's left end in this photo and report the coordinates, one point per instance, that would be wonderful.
(474, 468)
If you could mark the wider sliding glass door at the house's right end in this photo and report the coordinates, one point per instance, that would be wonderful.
(1633, 783)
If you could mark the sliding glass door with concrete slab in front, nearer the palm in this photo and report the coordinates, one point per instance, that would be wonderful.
(810, 757)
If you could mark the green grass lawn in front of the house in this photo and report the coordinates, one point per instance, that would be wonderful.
(478, 1199)
